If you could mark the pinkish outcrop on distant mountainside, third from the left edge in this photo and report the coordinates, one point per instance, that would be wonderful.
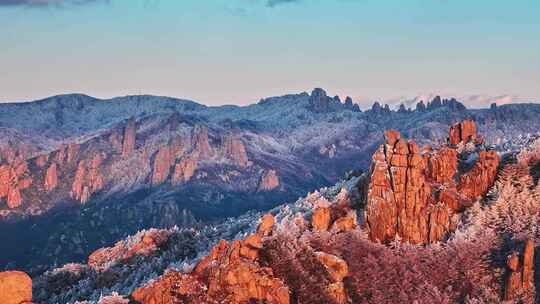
(88, 179)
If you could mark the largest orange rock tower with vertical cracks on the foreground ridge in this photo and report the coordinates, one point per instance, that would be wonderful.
(413, 194)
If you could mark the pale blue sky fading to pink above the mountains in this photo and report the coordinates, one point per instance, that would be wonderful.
(238, 51)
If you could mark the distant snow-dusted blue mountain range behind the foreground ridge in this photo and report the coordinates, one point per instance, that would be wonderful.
(78, 173)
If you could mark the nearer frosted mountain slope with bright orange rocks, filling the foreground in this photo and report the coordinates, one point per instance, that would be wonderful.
(458, 227)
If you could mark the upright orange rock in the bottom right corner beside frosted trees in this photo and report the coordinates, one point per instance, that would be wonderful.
(520, 276)
